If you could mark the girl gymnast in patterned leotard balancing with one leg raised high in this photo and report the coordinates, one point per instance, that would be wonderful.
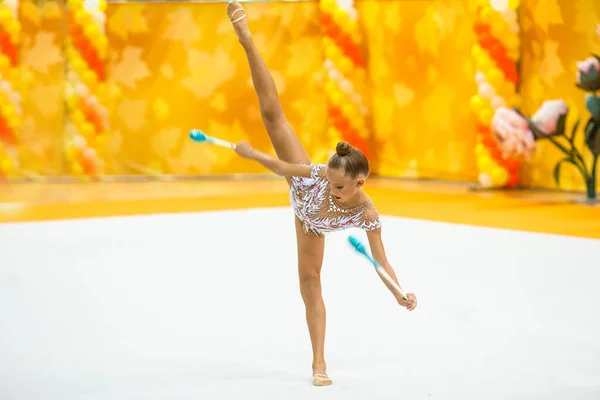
(324, 198)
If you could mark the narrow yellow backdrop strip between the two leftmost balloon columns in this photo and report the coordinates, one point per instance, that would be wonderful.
(42, 88)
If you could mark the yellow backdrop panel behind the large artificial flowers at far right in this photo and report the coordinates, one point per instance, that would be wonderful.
(556, 34)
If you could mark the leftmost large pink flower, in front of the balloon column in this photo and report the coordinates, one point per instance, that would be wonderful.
(511, 131)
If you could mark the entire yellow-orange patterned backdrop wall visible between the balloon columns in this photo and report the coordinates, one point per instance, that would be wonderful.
(173, 67)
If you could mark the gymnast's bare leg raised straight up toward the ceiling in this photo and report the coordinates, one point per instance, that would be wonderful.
(287, 145)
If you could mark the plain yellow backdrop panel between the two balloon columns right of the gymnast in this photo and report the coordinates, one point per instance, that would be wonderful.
(421, 79)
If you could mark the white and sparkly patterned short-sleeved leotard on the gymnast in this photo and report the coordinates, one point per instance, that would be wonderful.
(315, 206)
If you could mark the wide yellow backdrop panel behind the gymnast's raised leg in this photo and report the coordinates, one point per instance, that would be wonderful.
(180, 66)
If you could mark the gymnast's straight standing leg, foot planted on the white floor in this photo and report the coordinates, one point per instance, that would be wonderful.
(310, 259)
